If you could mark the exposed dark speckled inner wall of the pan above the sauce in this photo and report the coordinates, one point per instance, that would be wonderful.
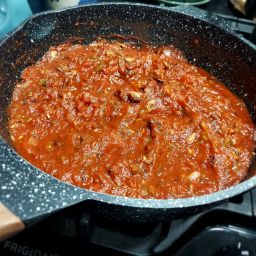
(228, 58)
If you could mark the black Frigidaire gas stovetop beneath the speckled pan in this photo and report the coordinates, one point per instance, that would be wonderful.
(228, 229)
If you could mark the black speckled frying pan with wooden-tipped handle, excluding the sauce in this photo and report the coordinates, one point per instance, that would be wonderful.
(27, 194)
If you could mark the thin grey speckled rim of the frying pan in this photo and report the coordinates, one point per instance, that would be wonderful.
(137, 202)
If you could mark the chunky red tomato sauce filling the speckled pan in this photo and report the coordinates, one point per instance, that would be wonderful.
(132, 121)
